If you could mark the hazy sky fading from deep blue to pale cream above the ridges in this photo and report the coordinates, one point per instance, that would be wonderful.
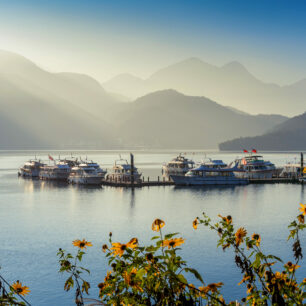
(106, 37)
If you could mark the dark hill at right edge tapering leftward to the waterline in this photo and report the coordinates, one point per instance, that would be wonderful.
(289, 135)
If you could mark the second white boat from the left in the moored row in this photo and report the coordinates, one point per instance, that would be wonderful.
(59, 171)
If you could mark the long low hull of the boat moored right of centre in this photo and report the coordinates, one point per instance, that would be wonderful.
(201, 181)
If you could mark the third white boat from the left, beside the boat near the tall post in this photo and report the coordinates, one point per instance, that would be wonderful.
(86, 174)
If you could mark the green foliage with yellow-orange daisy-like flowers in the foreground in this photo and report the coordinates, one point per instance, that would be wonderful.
(157, 275)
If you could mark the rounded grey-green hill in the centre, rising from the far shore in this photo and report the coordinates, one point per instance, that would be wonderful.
(168, 119)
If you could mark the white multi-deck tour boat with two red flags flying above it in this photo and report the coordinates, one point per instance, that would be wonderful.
(254, 167)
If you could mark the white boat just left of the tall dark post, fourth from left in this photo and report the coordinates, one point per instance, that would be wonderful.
(123, 172)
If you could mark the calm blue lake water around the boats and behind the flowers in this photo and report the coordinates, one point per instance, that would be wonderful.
(36, 218)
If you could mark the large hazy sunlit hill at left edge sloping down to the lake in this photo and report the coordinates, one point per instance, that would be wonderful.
(43, 110)
